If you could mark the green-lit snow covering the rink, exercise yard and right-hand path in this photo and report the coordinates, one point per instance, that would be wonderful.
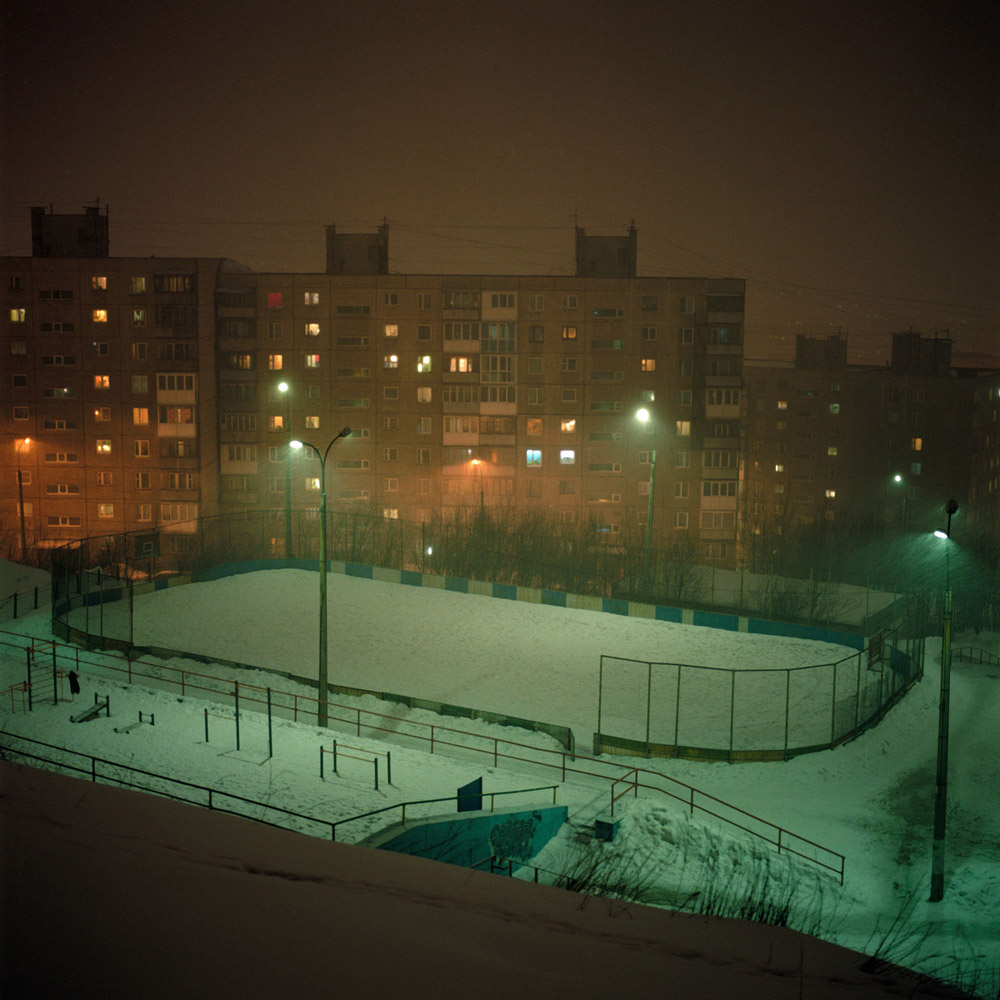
(871, 800)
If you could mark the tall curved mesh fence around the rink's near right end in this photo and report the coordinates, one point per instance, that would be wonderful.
(661, 709)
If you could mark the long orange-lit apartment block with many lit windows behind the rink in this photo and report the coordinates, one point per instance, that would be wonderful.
(146, 392)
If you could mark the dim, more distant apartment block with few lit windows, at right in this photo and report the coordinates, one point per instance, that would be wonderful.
(831, 441)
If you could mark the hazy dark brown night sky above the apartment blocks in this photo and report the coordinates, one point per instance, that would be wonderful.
(842, 156)
